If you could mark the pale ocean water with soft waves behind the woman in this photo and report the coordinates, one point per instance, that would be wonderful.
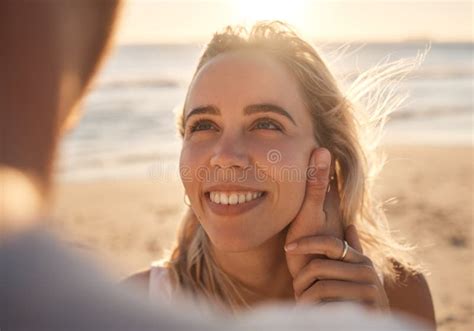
(128, 126)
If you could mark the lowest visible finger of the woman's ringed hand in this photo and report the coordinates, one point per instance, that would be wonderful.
(336, 290)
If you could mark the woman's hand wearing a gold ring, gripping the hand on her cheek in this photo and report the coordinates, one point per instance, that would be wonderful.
(343, 274)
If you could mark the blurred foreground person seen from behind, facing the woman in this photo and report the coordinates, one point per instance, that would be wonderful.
(50, 51)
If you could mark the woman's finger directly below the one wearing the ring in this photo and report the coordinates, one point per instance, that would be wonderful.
(323, 269)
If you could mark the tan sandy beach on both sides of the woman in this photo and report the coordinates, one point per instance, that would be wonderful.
(130, 223)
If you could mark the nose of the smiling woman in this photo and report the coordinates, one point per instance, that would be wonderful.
(230, 152)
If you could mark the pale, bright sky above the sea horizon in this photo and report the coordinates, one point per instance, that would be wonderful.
(183, 21)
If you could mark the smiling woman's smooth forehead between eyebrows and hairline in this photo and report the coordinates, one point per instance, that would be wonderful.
(236, 79)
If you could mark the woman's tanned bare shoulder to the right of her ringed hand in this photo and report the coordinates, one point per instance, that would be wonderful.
(411, 294)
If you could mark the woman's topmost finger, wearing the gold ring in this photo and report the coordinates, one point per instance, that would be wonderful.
(331, 247)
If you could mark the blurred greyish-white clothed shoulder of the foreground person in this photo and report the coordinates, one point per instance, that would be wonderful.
(48, 286)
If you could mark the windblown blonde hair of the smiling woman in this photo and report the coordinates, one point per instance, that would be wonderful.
(349, 126)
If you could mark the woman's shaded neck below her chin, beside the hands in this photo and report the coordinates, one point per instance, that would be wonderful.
(262, 270)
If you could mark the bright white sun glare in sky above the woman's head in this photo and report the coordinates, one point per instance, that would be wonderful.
(291, 11)
